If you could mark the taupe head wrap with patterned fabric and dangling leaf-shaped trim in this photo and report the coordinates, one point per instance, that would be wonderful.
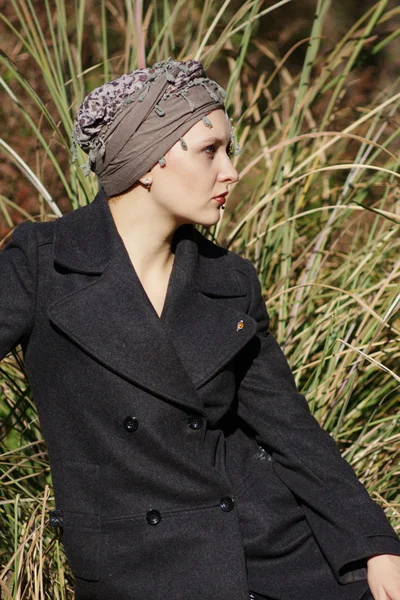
(128, 124)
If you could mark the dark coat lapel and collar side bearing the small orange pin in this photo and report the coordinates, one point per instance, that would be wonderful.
(199, 316)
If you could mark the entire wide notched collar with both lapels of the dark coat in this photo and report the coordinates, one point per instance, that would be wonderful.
(114, 321)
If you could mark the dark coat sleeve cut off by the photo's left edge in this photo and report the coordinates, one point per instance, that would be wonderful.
(18, 276)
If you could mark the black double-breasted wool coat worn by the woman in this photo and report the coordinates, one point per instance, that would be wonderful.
(185, 463)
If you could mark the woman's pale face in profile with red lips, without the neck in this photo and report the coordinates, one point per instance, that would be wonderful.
(187, 185)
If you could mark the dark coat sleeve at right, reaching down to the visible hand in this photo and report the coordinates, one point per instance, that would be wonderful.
(347, 524)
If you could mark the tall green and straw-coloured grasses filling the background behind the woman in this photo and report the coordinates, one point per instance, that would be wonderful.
(313, 88)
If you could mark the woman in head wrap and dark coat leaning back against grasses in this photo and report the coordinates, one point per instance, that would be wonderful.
(185, 463)
